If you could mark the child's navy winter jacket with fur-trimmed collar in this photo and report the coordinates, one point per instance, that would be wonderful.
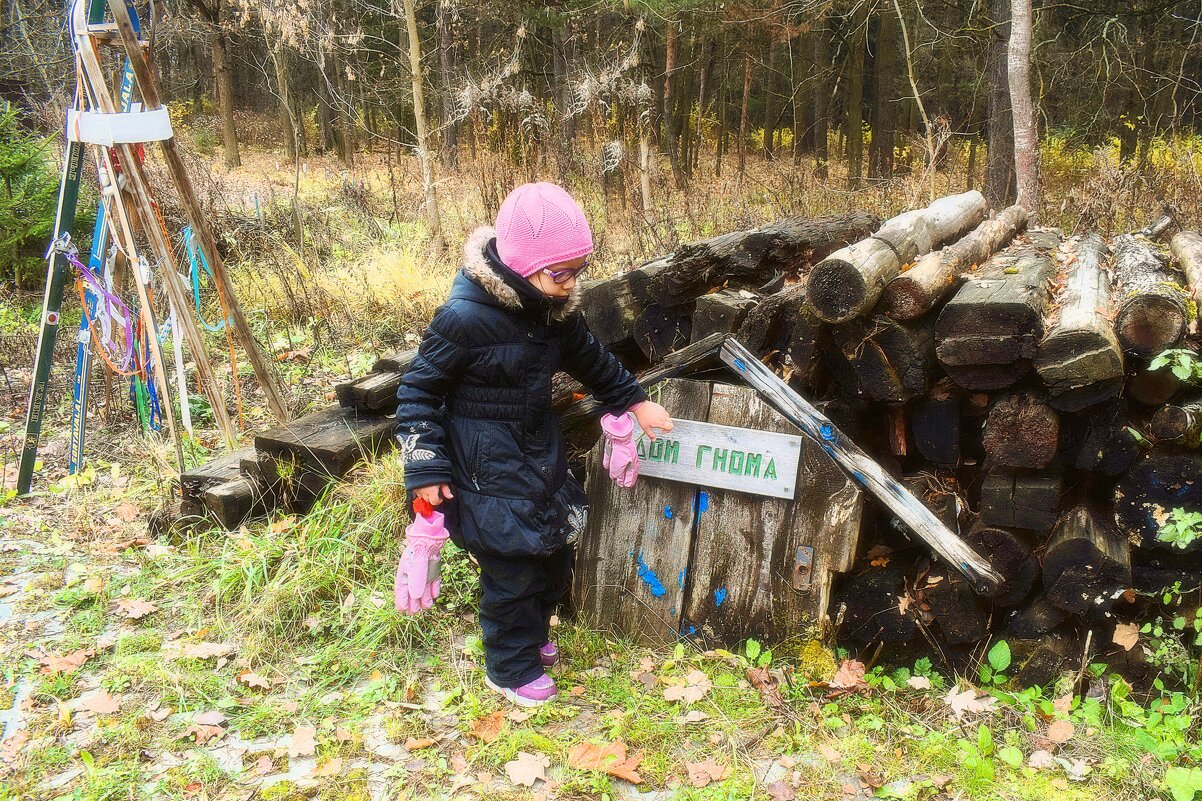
(474, 408)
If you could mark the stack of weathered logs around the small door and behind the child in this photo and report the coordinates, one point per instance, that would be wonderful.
(1002, 373)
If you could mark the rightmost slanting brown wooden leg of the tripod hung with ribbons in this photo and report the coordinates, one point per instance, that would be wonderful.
(148, 85)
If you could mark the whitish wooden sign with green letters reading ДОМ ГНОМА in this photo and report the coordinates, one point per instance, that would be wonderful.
(724, 458)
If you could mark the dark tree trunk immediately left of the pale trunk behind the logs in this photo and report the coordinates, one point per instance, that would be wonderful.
(999, 171)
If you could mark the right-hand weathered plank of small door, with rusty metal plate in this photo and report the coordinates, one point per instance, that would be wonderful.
(764, 567)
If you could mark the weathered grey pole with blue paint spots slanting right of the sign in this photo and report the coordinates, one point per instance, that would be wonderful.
(850, 458)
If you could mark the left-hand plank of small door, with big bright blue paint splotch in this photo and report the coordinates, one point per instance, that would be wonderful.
(635, 586)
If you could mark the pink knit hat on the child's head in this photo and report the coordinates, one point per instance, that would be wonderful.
(542, 226)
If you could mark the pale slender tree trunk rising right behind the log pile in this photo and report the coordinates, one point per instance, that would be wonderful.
(1027, 141)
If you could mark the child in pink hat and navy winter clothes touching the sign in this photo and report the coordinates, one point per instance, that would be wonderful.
(477, 430)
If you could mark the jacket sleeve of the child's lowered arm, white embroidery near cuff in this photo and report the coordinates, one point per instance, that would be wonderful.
(421, 404)
